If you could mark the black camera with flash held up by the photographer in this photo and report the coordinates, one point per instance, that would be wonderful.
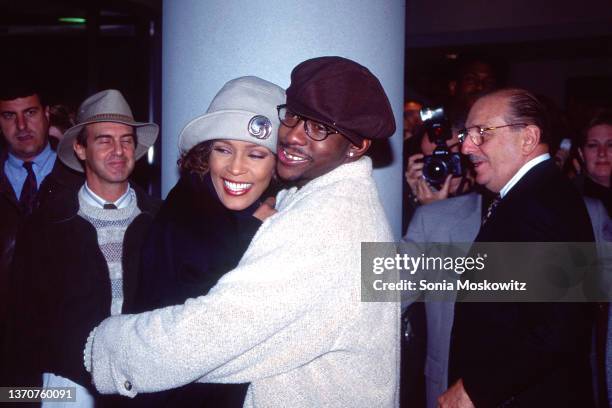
(441, 163)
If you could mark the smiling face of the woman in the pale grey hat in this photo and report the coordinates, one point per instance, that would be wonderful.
(240, 172)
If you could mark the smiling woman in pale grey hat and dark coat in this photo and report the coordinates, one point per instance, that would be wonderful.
(209, 218)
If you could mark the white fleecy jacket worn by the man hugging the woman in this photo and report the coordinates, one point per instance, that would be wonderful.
(288, 319)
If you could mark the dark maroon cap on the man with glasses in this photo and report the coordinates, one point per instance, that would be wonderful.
(340, 93)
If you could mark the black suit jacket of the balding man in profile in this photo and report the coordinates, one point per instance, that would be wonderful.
(528, 354)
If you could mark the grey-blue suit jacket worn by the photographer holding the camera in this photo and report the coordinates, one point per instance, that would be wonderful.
(455, 219)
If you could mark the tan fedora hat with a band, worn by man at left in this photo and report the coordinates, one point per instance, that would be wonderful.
(105, 106)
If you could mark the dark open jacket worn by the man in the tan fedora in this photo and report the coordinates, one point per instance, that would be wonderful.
(60, 288)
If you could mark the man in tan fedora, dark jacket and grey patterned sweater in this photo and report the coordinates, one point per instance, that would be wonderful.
(90, 242)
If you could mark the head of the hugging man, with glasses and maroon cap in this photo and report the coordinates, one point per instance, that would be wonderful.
(335, 108)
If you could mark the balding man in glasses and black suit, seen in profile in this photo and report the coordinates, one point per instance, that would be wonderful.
(529, 354)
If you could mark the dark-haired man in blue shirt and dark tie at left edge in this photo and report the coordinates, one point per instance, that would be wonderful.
(29, 171)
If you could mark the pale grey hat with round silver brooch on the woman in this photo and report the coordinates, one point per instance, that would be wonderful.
(244, 109)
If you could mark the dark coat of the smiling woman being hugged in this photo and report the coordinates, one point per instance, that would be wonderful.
(193, 242)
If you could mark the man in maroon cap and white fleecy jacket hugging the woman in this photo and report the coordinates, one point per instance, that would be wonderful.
(289, 318)
